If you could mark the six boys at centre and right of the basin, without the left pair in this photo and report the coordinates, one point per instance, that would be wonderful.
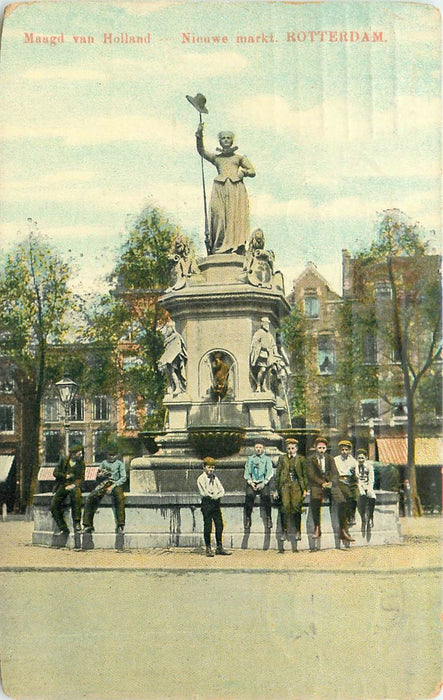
(348, 481)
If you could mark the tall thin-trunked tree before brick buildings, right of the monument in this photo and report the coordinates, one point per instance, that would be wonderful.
(408, 319)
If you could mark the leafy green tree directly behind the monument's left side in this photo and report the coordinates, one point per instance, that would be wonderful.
(125, 324)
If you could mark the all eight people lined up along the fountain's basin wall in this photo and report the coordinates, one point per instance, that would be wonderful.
(349, 482)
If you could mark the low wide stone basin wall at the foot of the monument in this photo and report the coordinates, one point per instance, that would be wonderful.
(159, 521)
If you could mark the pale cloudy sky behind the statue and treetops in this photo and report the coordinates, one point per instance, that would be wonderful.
(337, 131)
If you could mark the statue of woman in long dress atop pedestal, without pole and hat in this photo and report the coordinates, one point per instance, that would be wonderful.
(229, 206)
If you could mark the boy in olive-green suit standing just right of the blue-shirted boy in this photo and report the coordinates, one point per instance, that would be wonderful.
(292, 484)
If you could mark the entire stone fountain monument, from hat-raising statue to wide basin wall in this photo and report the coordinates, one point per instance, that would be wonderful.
(227, 373)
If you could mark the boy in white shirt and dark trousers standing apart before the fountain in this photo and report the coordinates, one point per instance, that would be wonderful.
(211, 492)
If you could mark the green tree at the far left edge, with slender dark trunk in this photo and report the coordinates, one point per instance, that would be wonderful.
(34, 302)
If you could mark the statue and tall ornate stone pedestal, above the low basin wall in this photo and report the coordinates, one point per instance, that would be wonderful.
(227, 313)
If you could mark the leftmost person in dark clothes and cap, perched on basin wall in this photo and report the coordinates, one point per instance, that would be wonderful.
(69, 475)
